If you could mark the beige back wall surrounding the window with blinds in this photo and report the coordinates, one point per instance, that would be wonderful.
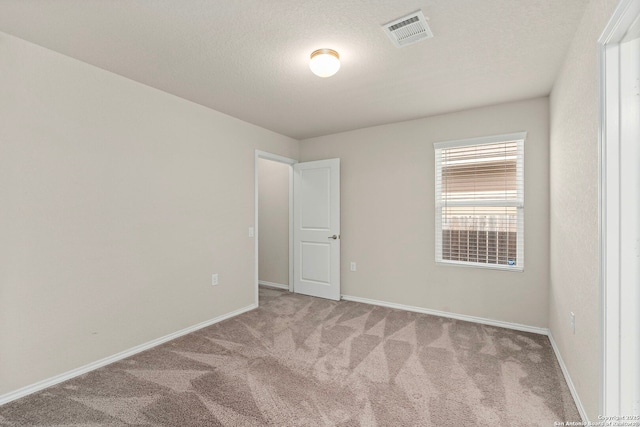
(387, 203)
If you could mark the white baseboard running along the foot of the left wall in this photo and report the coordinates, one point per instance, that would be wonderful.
(41, 385)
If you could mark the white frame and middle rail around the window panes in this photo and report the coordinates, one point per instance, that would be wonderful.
(519, 138)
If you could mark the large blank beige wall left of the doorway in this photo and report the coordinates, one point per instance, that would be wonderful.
(118, 202)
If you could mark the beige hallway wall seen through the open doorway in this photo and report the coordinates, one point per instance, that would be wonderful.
(273, 222)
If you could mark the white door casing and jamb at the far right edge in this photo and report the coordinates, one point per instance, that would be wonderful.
(620, 210)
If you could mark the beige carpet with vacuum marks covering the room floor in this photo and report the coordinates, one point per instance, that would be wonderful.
(303, 361)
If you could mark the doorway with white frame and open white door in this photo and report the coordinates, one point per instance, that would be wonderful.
(300, 216)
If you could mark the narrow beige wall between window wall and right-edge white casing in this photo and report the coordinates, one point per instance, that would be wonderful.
(574, 207)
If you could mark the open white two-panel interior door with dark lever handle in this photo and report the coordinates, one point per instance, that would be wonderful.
(316, 228)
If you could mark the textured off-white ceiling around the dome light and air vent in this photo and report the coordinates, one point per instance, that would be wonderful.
(249, 58)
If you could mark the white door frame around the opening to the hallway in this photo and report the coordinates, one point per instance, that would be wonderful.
(288, 161)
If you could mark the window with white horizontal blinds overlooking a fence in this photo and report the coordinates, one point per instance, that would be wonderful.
(480, 202)
